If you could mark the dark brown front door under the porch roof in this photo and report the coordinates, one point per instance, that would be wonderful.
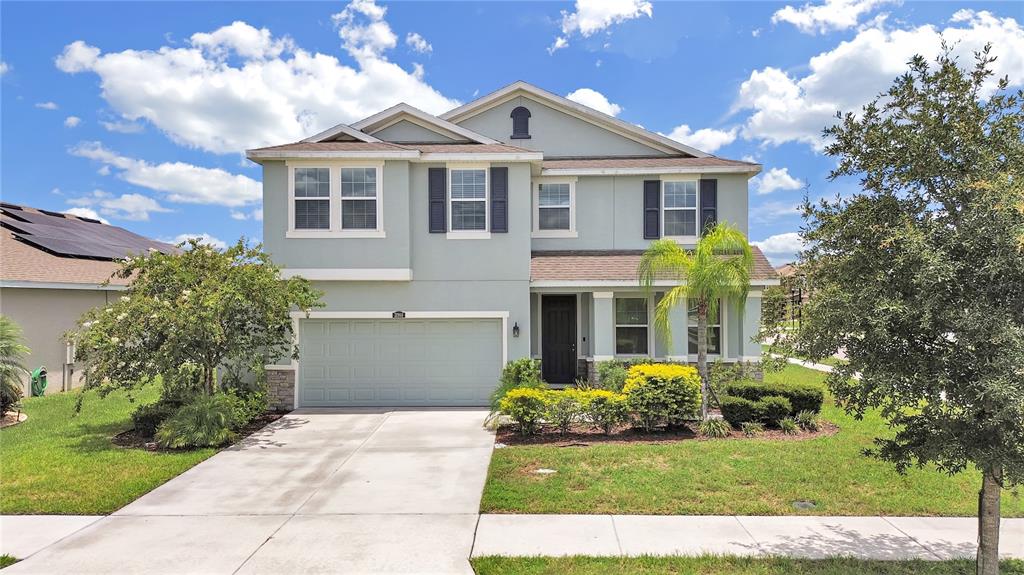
(559, 357)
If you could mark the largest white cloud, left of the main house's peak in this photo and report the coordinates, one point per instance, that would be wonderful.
(240, 87)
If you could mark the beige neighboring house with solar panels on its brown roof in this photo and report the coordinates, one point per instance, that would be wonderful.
(53, 270)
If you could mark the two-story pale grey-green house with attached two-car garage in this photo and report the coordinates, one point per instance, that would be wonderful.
(508, 228)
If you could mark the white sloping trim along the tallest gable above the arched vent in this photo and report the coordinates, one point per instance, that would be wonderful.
(567, 106)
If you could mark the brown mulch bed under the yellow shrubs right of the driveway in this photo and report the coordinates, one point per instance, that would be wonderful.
(582, 436)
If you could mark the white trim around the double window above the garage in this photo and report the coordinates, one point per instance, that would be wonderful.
(336, 204)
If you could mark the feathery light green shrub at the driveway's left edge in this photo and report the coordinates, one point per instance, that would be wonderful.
(206, 422)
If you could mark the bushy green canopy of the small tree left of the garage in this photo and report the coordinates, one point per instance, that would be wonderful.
(202, 308)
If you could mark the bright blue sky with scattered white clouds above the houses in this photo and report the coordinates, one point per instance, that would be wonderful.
(139, 113)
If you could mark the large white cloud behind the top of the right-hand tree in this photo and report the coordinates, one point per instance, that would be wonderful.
(788, 108)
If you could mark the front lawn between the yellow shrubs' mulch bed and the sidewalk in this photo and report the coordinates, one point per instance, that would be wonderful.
(731, 477)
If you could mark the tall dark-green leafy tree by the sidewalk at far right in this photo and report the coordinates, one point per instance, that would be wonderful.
(920, 277)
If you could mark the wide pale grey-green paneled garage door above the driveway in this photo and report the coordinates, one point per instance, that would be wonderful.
(396, 363)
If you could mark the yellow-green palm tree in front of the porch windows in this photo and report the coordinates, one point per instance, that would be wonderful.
(718, 270)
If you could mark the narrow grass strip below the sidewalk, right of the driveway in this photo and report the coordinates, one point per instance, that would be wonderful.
(724, 566)
